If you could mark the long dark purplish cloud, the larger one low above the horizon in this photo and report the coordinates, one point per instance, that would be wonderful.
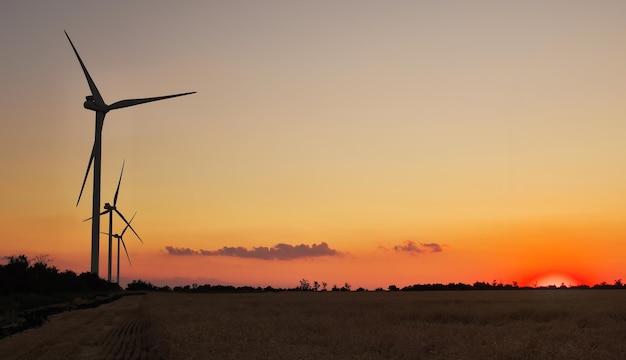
(276, 252)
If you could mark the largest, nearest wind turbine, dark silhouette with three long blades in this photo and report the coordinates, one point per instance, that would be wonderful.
(96, 103)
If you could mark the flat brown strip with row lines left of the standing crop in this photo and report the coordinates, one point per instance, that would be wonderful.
(117, 330)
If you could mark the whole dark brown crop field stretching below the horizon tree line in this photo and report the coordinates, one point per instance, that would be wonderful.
(528, 324)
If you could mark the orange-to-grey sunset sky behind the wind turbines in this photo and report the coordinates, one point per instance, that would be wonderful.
(367, 142)
